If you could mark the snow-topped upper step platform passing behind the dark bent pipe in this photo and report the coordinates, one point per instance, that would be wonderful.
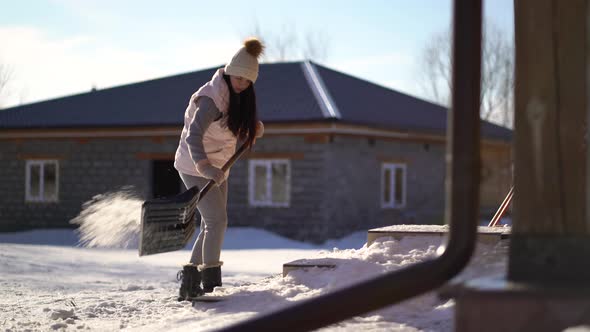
(484, 234)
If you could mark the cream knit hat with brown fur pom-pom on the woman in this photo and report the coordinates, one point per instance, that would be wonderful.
(245, 62)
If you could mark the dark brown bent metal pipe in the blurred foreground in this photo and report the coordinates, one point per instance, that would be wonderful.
(461, 211)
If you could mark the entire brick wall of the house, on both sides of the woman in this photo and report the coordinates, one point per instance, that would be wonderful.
(335, 181)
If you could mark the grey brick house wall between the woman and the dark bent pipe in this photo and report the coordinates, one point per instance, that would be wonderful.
(336, 186)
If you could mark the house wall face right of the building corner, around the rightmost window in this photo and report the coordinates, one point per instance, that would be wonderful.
(356, 182)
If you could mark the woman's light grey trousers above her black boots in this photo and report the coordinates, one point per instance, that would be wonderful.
(213, 209)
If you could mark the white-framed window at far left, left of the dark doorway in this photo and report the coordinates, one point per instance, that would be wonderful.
(42, 181)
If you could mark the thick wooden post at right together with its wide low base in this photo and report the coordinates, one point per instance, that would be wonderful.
(547, 287)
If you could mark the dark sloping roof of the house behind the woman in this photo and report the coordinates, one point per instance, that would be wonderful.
(285, 93)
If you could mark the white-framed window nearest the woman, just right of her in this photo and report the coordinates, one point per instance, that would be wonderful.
(269, 182)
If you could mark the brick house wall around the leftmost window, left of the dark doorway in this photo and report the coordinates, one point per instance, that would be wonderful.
(87, 167)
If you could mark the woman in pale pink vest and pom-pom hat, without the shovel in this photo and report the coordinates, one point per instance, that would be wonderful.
(221, 113)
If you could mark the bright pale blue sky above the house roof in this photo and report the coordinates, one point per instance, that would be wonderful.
(61, 47)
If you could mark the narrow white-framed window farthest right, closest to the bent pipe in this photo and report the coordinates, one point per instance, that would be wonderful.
(393, 185)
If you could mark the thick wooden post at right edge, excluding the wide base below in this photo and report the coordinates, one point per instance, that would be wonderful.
(551, 230)
